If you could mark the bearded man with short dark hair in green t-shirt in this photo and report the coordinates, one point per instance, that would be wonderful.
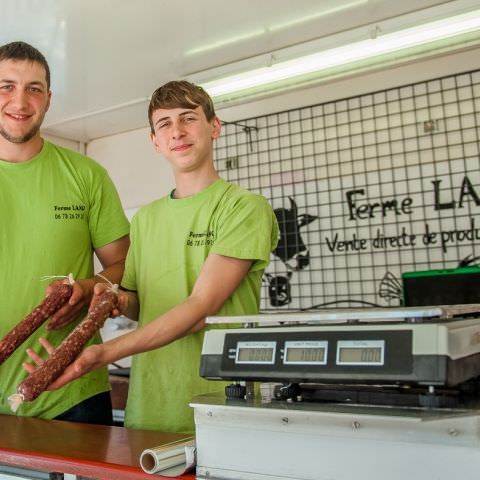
(57, 208)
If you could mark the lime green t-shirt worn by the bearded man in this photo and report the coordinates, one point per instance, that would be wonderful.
(55, 208)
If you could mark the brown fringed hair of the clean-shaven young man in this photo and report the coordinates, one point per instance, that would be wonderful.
(180, 94)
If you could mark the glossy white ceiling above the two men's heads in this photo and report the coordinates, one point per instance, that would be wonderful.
(107, 56)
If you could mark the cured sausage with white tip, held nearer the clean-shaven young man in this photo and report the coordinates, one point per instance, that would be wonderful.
(38, 381)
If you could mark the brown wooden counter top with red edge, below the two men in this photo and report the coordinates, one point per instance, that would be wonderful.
(96, 451)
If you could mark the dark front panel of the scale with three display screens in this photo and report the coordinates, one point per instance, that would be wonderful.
(316, 356)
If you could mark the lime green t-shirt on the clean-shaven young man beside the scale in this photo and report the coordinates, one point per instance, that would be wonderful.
(171, 238)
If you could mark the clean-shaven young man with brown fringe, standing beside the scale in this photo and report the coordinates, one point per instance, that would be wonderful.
(197, 252)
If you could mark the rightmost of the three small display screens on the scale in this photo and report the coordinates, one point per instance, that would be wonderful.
(360, 352)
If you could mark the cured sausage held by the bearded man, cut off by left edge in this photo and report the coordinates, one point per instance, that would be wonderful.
(52, 303)
